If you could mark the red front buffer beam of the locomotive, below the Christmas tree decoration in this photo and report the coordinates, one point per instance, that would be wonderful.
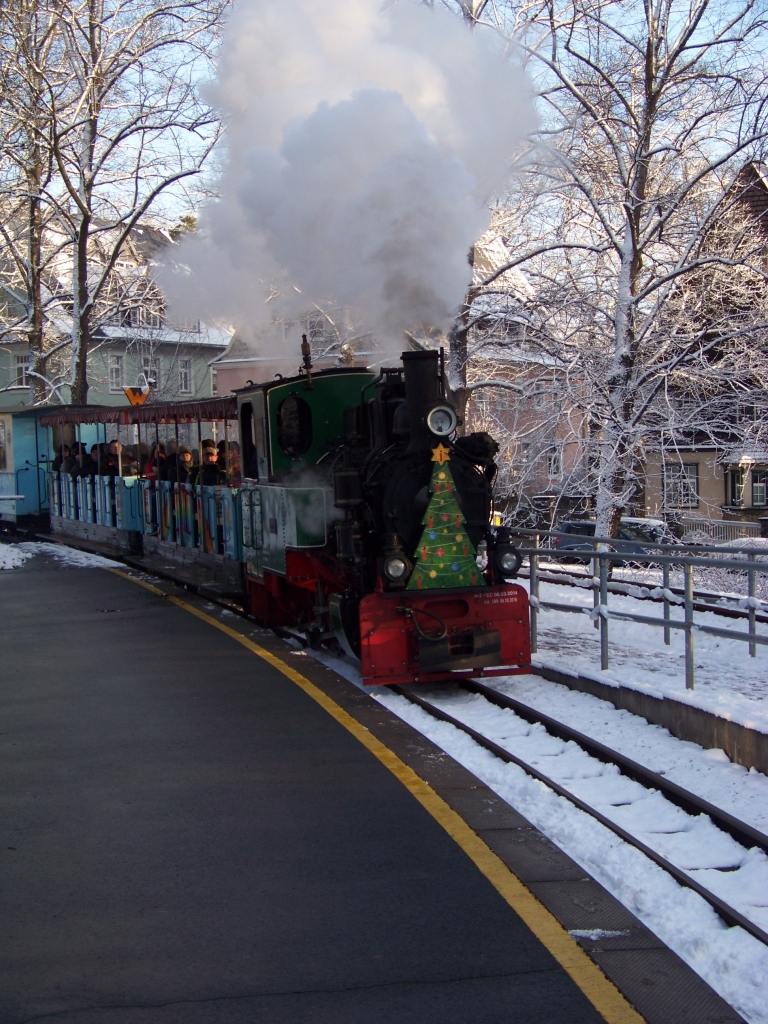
(435, 636)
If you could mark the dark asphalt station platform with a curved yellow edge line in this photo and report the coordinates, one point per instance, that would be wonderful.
(201, 827)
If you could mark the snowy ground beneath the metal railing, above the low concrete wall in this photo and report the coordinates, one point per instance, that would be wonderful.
(729, 682)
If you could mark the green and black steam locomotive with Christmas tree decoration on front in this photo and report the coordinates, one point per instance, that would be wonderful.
(368, 520)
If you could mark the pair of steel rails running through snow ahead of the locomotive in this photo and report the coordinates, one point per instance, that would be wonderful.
(743, 833)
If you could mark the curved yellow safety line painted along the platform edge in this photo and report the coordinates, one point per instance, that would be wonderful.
(602, 993)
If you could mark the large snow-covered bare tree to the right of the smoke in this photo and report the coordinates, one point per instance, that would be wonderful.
(649, 114)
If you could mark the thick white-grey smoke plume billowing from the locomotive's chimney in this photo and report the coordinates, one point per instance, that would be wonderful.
(363, 146)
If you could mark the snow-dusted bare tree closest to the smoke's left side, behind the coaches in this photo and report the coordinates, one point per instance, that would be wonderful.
(134, 129)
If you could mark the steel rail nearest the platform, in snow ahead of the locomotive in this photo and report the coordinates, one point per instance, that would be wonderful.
(730, 915)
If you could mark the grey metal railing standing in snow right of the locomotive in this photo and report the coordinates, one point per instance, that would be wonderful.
(607, 552)
